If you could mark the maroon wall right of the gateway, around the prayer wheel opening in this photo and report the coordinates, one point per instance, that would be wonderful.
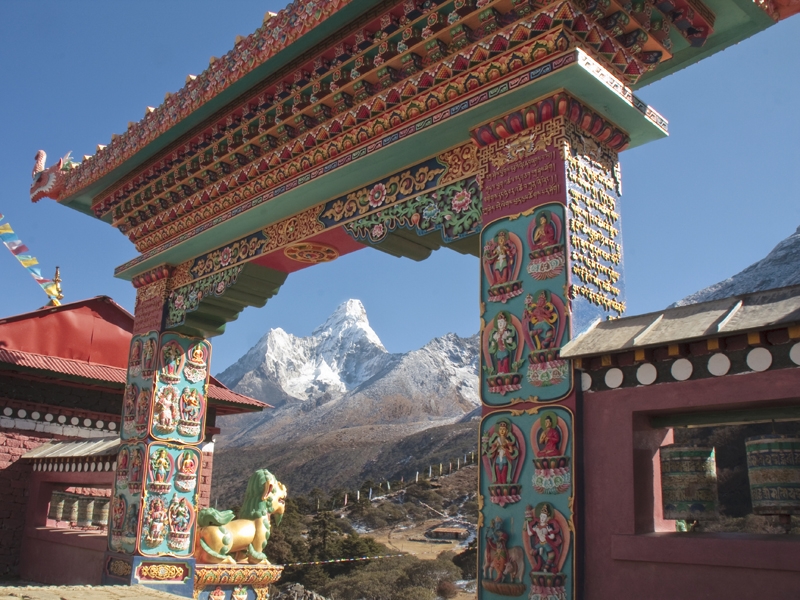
(629, 552)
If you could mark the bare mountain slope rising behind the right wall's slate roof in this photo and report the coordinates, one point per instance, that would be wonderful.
(781, 267)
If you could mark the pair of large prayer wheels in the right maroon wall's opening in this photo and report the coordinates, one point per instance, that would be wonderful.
(689, 478)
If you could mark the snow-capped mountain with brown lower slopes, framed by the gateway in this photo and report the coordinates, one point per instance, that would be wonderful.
(343, 402)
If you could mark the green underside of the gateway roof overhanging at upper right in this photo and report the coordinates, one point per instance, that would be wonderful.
(736, 20)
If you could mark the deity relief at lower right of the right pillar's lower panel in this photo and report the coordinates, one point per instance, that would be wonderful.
(547, 540)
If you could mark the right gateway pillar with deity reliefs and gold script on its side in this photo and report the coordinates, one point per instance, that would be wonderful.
(551, 264)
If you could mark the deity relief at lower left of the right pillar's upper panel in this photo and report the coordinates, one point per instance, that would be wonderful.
(503, 344)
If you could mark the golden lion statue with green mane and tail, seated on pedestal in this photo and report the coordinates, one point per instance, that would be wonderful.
(221, 539)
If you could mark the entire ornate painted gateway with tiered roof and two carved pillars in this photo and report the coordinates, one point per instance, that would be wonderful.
(488, 126)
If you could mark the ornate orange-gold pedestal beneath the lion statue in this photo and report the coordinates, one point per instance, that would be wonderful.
(234, 582)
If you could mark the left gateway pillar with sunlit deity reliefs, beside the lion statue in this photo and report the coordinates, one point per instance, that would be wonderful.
(153, 510)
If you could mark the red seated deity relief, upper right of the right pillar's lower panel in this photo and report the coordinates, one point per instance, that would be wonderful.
(550, 439)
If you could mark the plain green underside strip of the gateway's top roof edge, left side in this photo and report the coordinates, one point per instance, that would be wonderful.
(82, 201)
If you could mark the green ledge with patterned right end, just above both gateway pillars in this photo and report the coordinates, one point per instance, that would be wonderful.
(585, 79)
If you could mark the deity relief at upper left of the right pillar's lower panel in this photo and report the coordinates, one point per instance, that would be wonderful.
(503, 458)
